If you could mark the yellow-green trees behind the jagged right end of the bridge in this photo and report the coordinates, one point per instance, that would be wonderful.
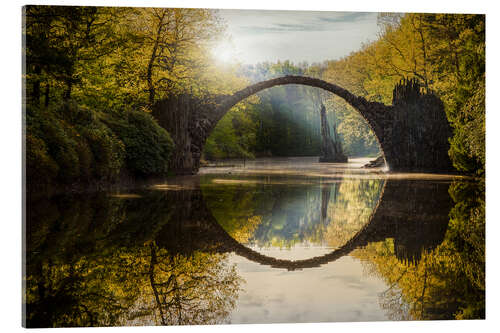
(445, 53)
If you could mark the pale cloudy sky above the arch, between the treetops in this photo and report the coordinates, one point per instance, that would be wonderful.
(262, 35)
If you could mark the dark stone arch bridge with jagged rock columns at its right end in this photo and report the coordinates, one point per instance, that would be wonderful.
(412, 133)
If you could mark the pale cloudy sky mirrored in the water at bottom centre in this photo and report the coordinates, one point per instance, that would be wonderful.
(338, 291)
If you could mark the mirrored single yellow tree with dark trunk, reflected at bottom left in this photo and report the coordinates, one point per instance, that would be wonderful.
(195, 290)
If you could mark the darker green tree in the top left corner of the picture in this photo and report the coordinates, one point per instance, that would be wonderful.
(60, 40)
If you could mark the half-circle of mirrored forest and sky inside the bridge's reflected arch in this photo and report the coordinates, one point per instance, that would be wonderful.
(291, 215)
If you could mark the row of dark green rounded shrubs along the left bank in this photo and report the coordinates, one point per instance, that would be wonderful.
(70, 144)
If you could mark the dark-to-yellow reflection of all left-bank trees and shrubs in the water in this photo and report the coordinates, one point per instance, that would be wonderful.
(93, 261)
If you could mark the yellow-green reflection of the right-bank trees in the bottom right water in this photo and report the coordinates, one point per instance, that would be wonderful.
(448, 281)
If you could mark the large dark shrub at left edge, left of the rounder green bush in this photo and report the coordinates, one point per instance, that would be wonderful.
(70, 144)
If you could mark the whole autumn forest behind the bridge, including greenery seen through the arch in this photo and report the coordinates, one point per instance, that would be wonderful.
(92, 75)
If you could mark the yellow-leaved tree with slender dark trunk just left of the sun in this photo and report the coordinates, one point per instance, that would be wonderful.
(170, 47)
